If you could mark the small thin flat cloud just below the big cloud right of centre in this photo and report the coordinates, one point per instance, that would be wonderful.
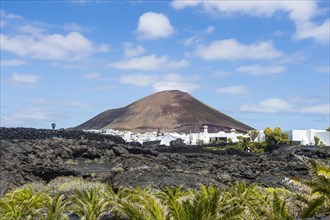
(261, 70)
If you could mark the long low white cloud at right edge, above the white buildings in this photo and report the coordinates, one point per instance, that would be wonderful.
(290, 105)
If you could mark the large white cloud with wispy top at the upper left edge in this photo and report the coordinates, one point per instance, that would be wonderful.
(32, 40)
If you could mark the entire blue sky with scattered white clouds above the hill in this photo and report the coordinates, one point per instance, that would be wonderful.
(265, 63)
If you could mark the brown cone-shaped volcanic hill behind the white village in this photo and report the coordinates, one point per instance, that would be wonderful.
(170, 110)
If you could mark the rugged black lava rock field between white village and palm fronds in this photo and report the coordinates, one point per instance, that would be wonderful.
(28, 155)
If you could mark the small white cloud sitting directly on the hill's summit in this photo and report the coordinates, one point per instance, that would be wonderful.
(183, 86)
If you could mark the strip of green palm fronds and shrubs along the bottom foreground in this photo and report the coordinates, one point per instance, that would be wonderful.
(64, 195)
